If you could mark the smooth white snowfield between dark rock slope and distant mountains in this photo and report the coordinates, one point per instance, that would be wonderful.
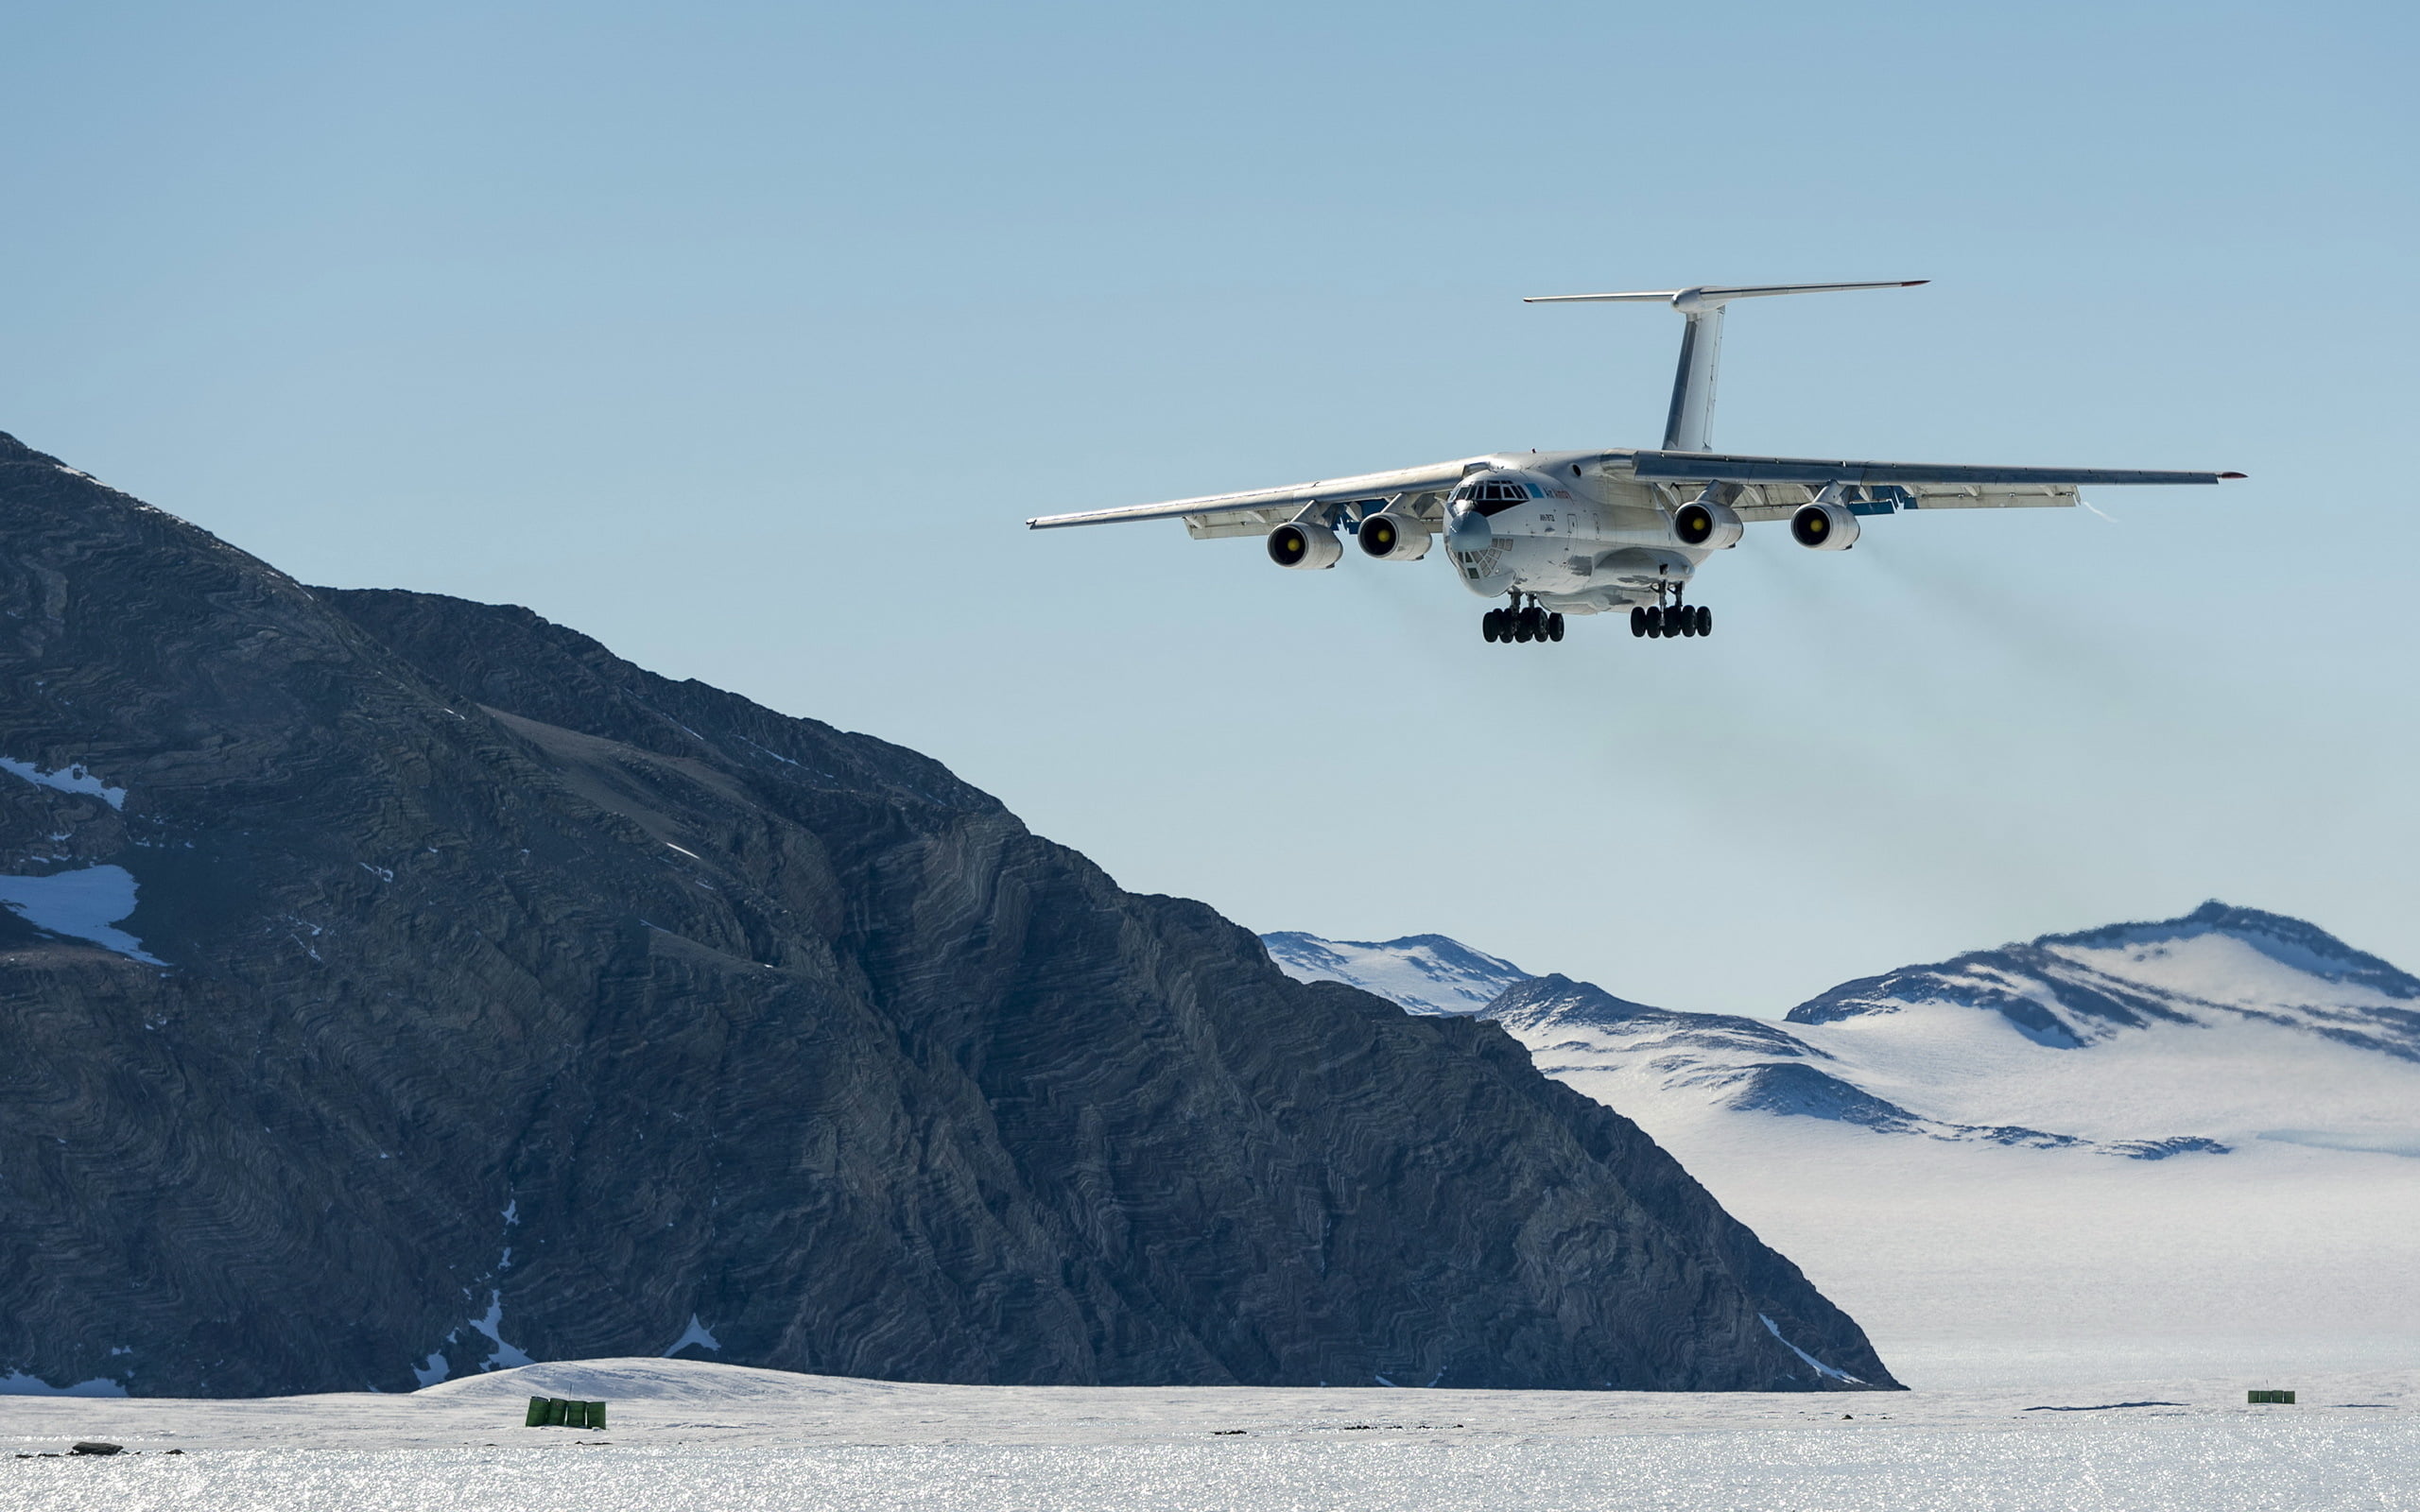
(1981, 1264)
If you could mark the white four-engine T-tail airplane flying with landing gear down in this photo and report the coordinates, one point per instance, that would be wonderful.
(1586, 533)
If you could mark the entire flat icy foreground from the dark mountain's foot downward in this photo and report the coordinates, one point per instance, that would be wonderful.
(720, 1438)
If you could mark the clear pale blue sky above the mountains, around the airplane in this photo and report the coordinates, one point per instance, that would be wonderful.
(744, 337)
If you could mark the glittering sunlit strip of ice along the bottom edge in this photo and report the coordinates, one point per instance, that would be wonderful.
(2288, 1467)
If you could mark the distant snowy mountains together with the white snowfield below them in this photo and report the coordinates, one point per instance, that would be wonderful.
(2111, 1145)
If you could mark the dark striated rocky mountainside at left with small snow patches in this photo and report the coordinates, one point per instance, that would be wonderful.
(488, 998)
